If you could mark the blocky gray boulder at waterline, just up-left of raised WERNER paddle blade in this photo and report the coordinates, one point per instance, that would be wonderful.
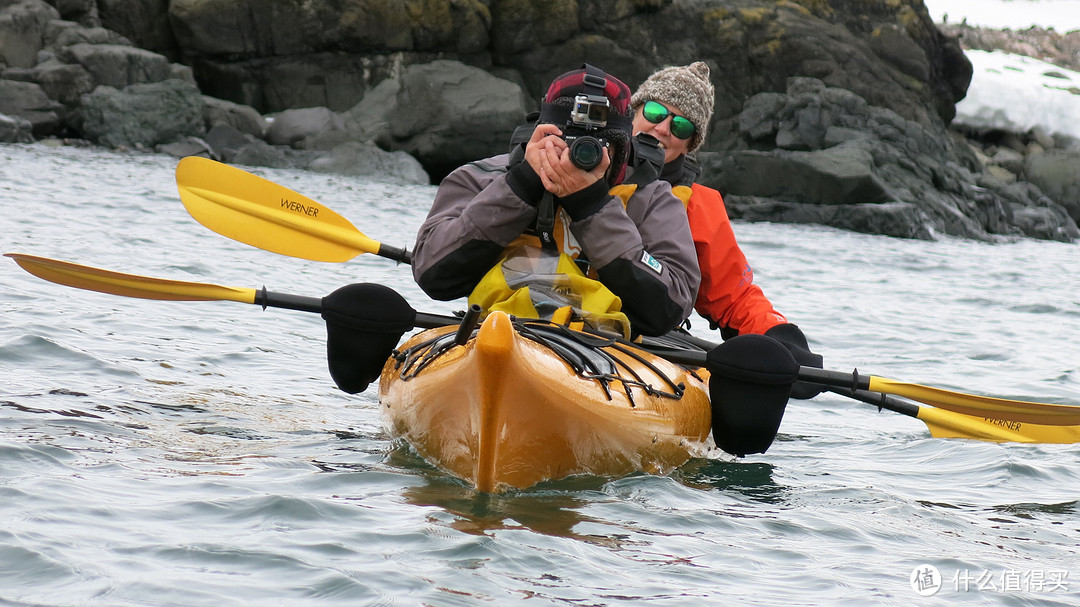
(143, 115)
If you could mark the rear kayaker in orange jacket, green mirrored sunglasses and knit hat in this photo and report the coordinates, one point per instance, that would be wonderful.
(676, 106)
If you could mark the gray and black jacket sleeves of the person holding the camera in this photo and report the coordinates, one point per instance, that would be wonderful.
(644, 252)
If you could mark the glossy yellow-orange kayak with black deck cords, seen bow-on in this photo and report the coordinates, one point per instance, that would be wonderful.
(521, 402)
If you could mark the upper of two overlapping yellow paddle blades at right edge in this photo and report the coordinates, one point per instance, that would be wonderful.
(981, 407)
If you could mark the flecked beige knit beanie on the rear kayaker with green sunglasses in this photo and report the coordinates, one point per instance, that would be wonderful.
(688, 88)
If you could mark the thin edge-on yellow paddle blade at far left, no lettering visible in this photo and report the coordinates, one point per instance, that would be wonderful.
(128, 286)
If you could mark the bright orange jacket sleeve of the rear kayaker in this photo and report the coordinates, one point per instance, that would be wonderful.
(728, 296)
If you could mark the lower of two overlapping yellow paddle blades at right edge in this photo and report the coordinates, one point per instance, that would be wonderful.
(951, 425)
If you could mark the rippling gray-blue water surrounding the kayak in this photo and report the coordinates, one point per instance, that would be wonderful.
(158, 453)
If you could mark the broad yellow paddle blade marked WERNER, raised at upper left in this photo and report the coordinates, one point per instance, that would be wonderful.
(259, 212)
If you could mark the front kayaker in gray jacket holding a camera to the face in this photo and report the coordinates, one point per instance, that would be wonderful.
(548, 227)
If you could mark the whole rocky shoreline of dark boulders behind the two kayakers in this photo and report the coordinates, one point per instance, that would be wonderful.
(828, 112)
